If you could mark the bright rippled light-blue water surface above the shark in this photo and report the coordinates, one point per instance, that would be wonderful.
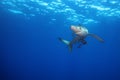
(75, 15)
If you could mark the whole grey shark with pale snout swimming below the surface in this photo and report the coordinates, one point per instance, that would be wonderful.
(79, 35)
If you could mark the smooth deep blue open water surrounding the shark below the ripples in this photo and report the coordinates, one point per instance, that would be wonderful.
(30, 50)
